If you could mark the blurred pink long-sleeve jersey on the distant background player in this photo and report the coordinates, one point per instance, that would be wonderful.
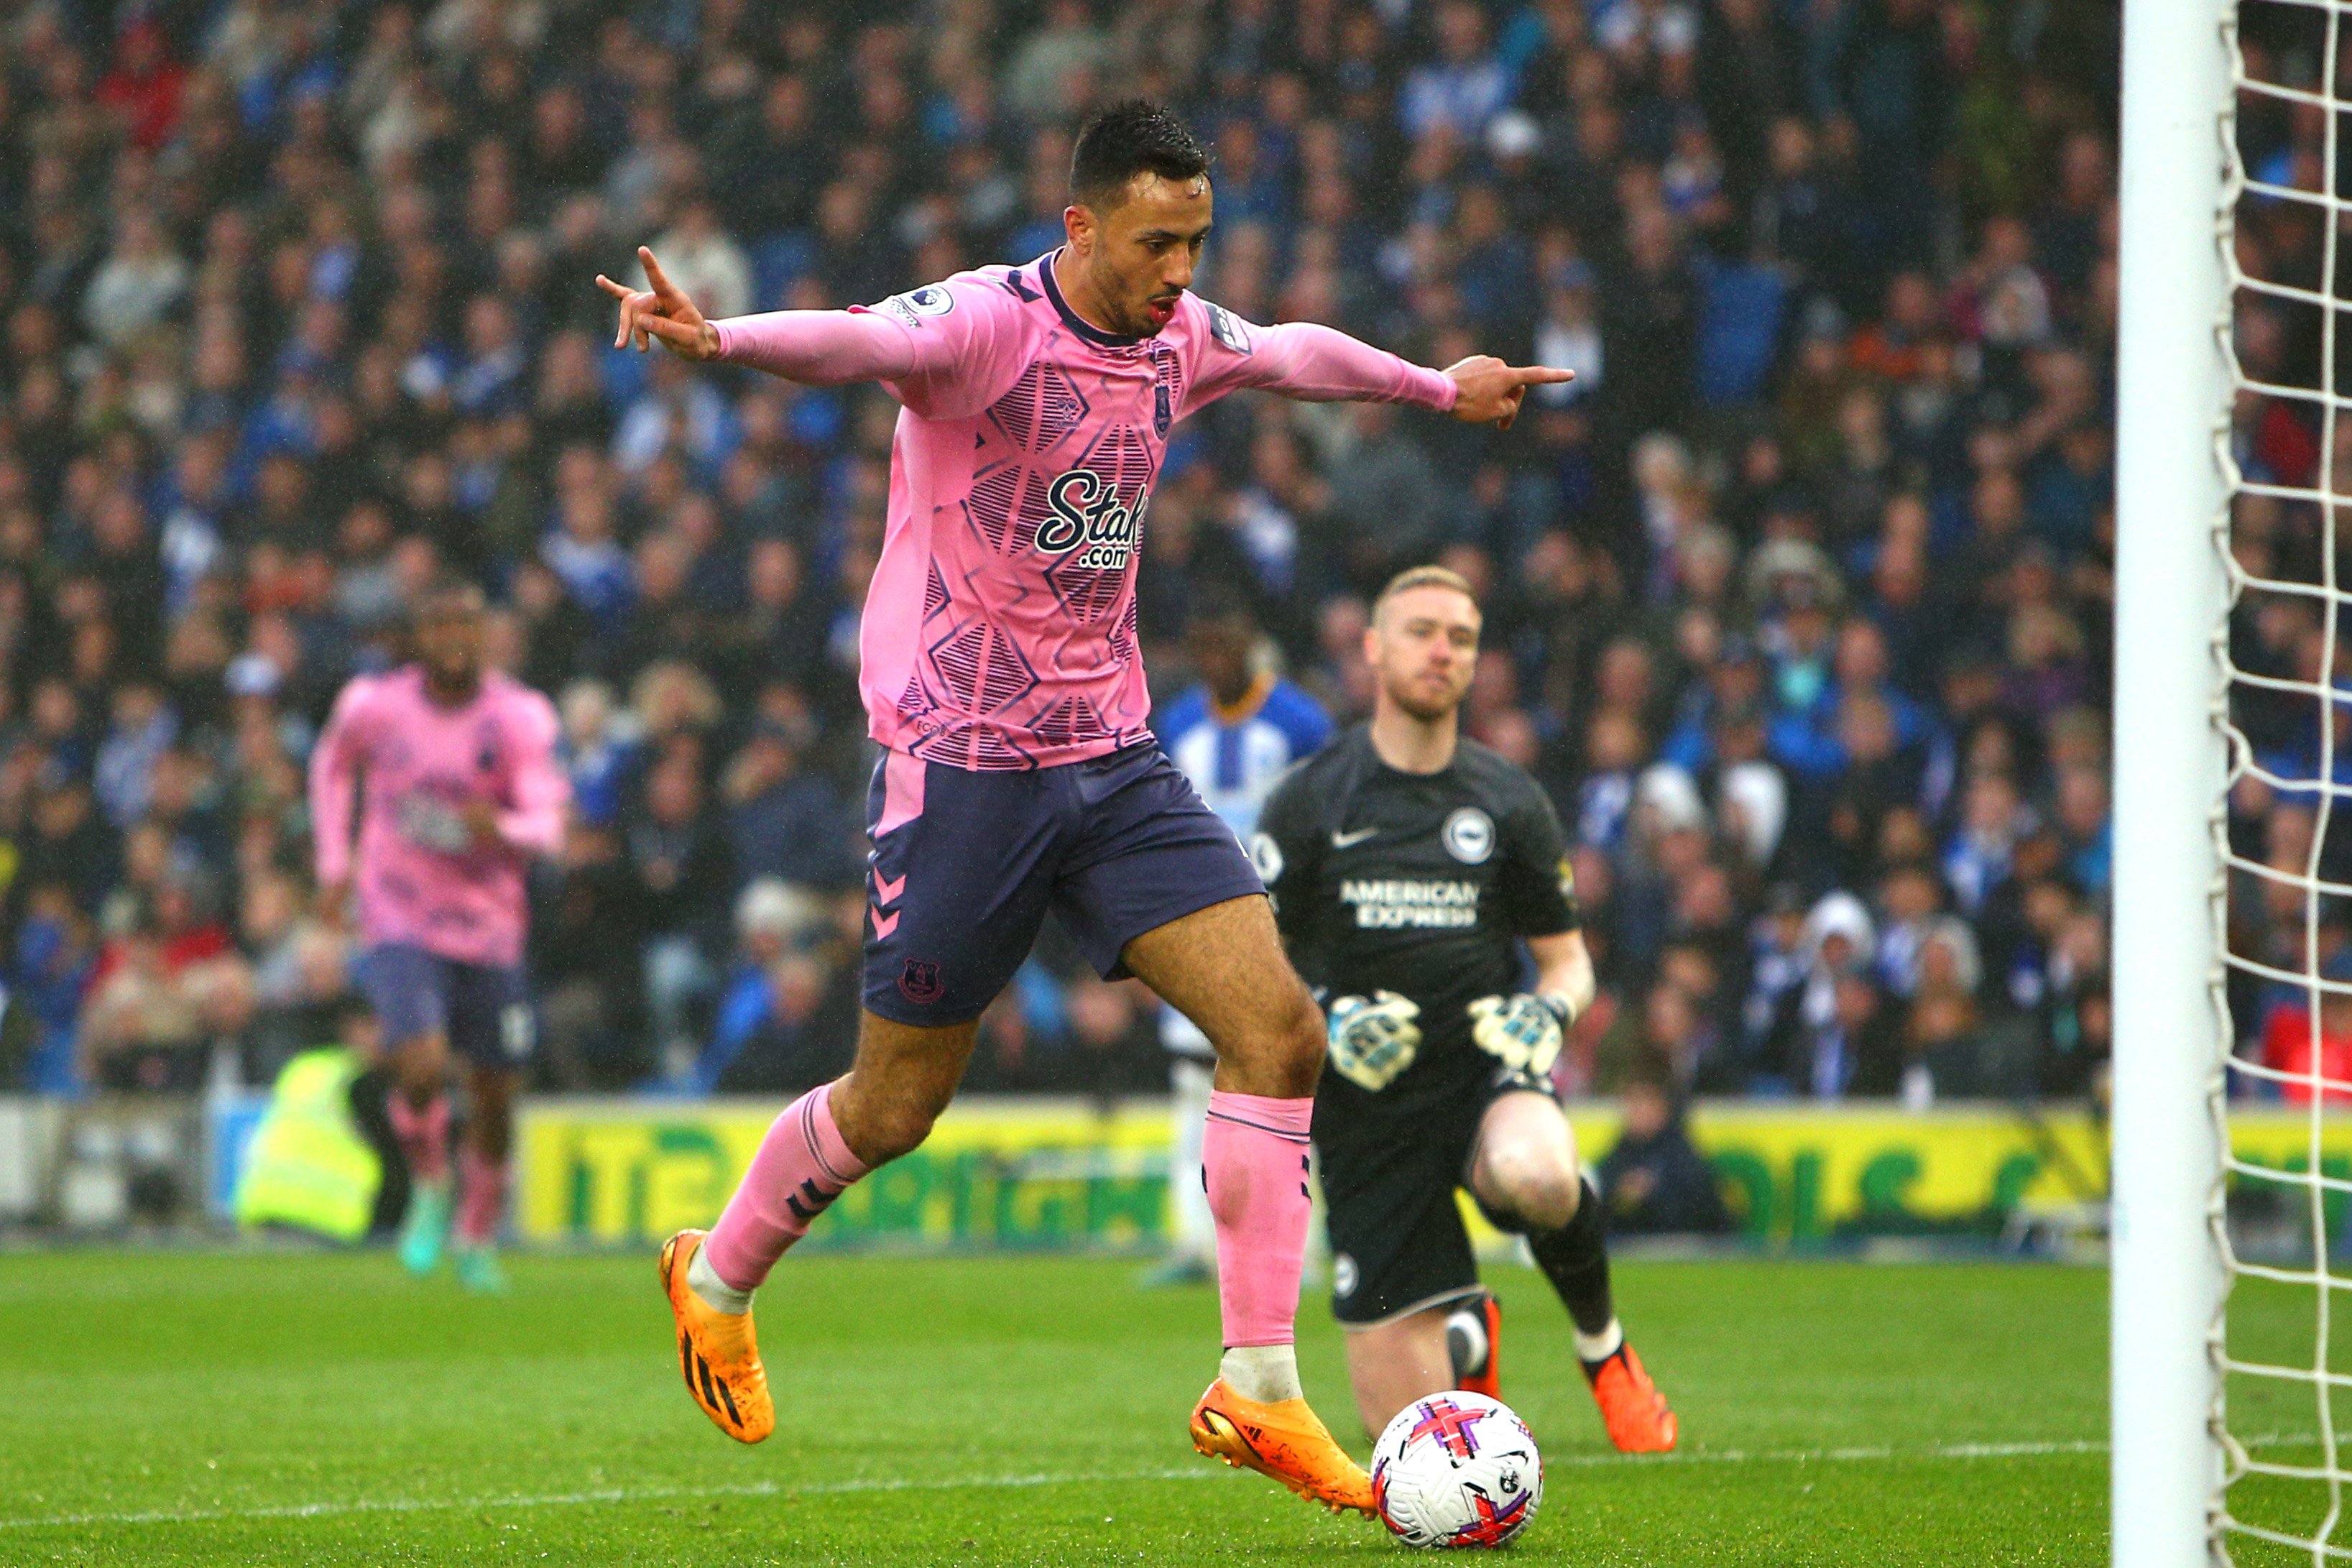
(420, 765)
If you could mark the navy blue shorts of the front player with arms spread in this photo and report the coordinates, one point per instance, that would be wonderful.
(965, 869)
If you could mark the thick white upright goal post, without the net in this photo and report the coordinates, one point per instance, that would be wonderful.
(2170, 765)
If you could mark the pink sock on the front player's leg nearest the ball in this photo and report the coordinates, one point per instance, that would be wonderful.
(1255, 1155)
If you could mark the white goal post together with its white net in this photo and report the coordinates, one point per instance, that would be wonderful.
(2233, 763)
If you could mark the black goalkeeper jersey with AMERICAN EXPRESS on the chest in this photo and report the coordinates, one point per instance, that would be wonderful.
(1419, 885)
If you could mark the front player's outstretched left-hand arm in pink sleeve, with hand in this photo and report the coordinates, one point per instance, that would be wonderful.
(808, 347)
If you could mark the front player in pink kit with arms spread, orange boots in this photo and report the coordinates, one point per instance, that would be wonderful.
(1020, 777)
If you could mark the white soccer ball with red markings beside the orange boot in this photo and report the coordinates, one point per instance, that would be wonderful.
(1457, 1470)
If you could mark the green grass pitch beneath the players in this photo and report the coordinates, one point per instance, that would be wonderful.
(326, 1409)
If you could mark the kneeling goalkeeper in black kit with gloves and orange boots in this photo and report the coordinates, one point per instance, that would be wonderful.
(1419, 880)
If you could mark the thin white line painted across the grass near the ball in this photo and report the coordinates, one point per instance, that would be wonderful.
(1194, 1473)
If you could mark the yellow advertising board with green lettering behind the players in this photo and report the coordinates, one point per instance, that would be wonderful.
(1057, 1174)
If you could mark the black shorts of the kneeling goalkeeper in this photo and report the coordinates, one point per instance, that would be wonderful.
(1398, 1240)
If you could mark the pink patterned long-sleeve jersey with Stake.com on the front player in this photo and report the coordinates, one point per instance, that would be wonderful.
(1001, 626)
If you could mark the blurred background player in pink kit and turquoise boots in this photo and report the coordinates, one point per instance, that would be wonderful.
(460, 779)
